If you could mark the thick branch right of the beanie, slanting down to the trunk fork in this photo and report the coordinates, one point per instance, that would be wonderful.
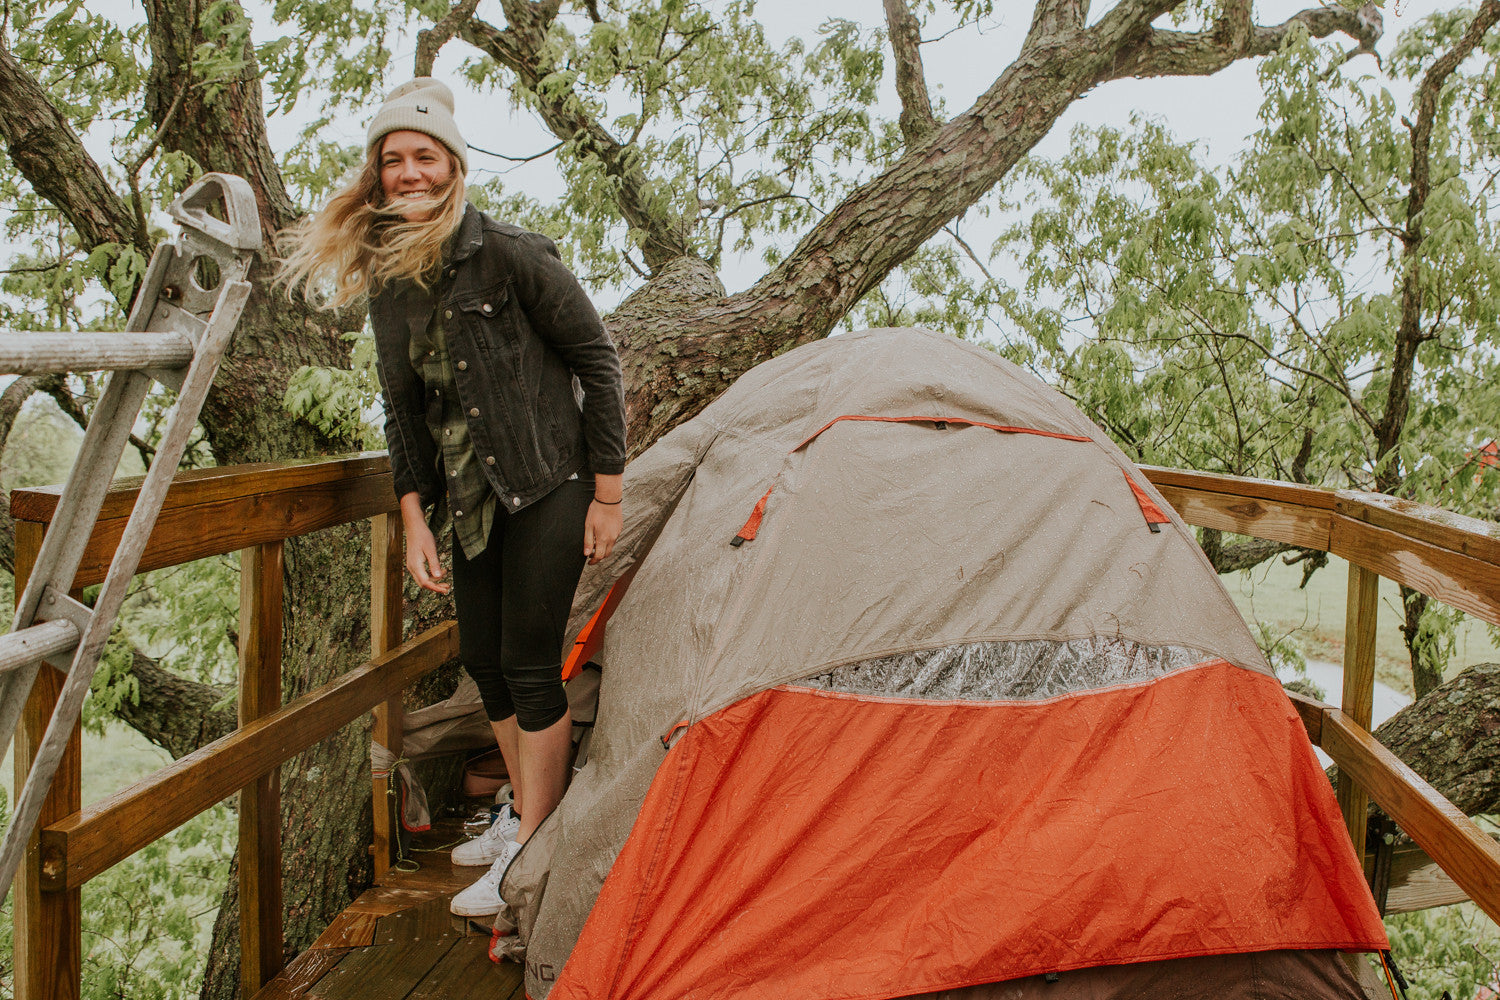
(521, 49)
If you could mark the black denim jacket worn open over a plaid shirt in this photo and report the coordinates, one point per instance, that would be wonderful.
(538, 374)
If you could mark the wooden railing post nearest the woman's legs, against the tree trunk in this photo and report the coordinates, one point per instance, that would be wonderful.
(388, 576)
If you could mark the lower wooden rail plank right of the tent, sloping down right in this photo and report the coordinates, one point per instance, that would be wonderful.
(1453, 840)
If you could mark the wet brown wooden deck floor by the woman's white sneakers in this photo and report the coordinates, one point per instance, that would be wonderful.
(400, 942)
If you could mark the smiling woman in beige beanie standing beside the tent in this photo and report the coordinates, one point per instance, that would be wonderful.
(485, 341)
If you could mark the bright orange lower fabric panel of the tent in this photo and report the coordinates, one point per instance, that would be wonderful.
(821, 845)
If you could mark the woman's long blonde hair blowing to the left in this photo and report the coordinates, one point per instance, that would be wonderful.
(358, 244)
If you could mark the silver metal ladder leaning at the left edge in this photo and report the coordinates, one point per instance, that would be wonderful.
(176, 335)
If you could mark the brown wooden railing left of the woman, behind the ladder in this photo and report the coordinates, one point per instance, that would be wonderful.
(251, 510)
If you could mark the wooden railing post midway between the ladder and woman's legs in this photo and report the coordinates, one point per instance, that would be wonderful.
(260, 801)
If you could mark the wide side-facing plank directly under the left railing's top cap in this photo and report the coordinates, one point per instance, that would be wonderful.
(215, 528)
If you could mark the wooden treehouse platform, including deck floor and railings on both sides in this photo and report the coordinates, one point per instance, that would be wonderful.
(398, 939)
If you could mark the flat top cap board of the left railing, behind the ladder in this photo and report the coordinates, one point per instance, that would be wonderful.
(211, 487)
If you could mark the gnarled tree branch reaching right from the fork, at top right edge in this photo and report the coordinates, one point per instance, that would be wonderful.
(1235, 37)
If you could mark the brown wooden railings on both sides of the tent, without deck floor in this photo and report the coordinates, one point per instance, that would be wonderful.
(256, 509)
